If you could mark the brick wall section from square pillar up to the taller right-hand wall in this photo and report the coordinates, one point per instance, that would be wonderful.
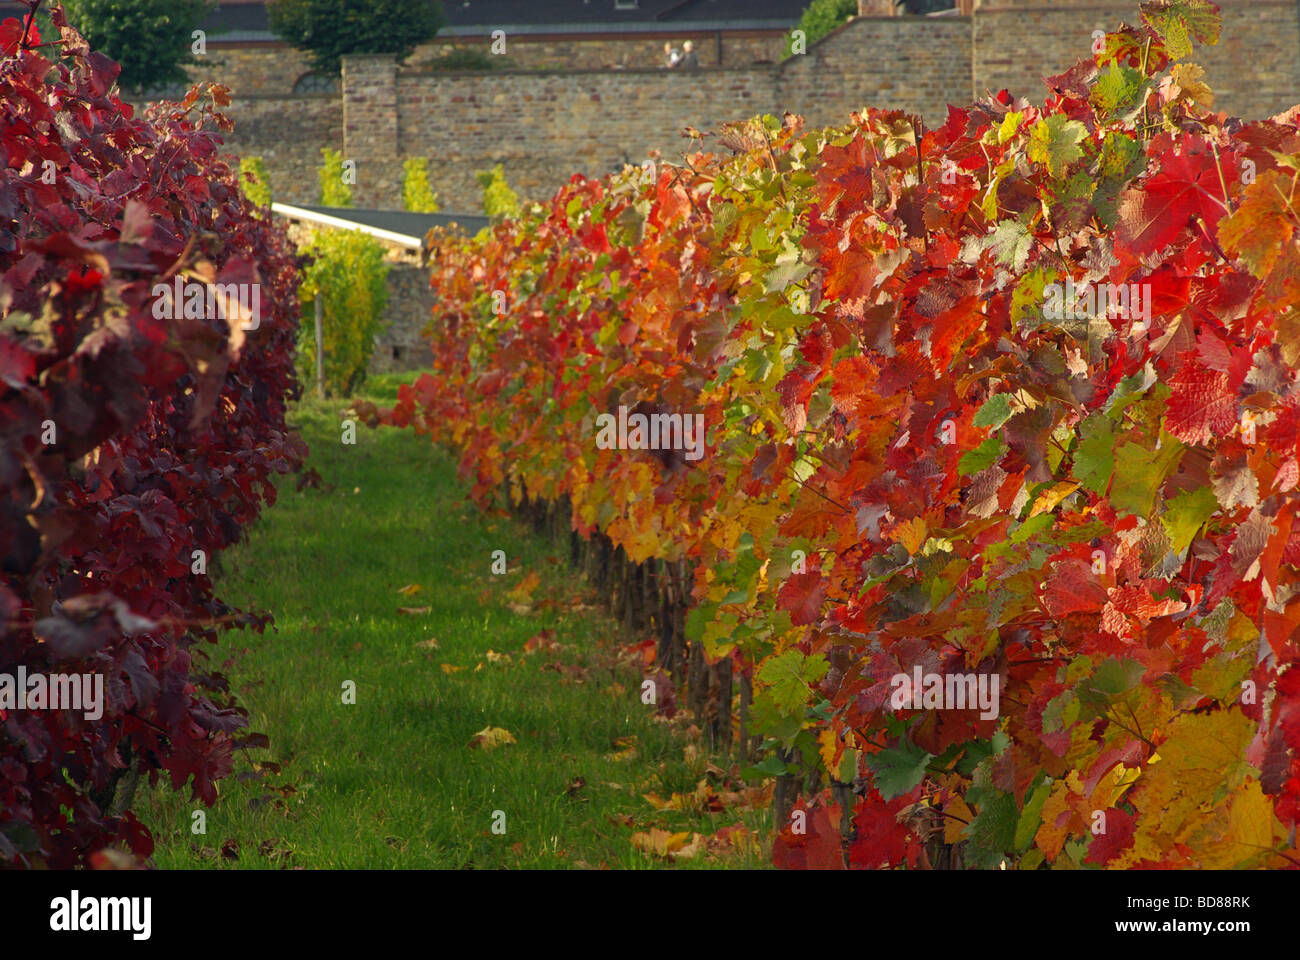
(545, 127)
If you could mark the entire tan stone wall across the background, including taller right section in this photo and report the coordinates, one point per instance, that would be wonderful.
(545, 126)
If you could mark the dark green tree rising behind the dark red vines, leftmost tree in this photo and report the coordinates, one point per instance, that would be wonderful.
(150, 38)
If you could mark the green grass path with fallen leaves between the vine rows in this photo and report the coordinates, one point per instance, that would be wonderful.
(392, 782)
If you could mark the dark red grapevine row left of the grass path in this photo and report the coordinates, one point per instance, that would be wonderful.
(166, 436)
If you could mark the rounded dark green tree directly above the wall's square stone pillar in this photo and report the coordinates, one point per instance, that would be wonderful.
(332, 29)
